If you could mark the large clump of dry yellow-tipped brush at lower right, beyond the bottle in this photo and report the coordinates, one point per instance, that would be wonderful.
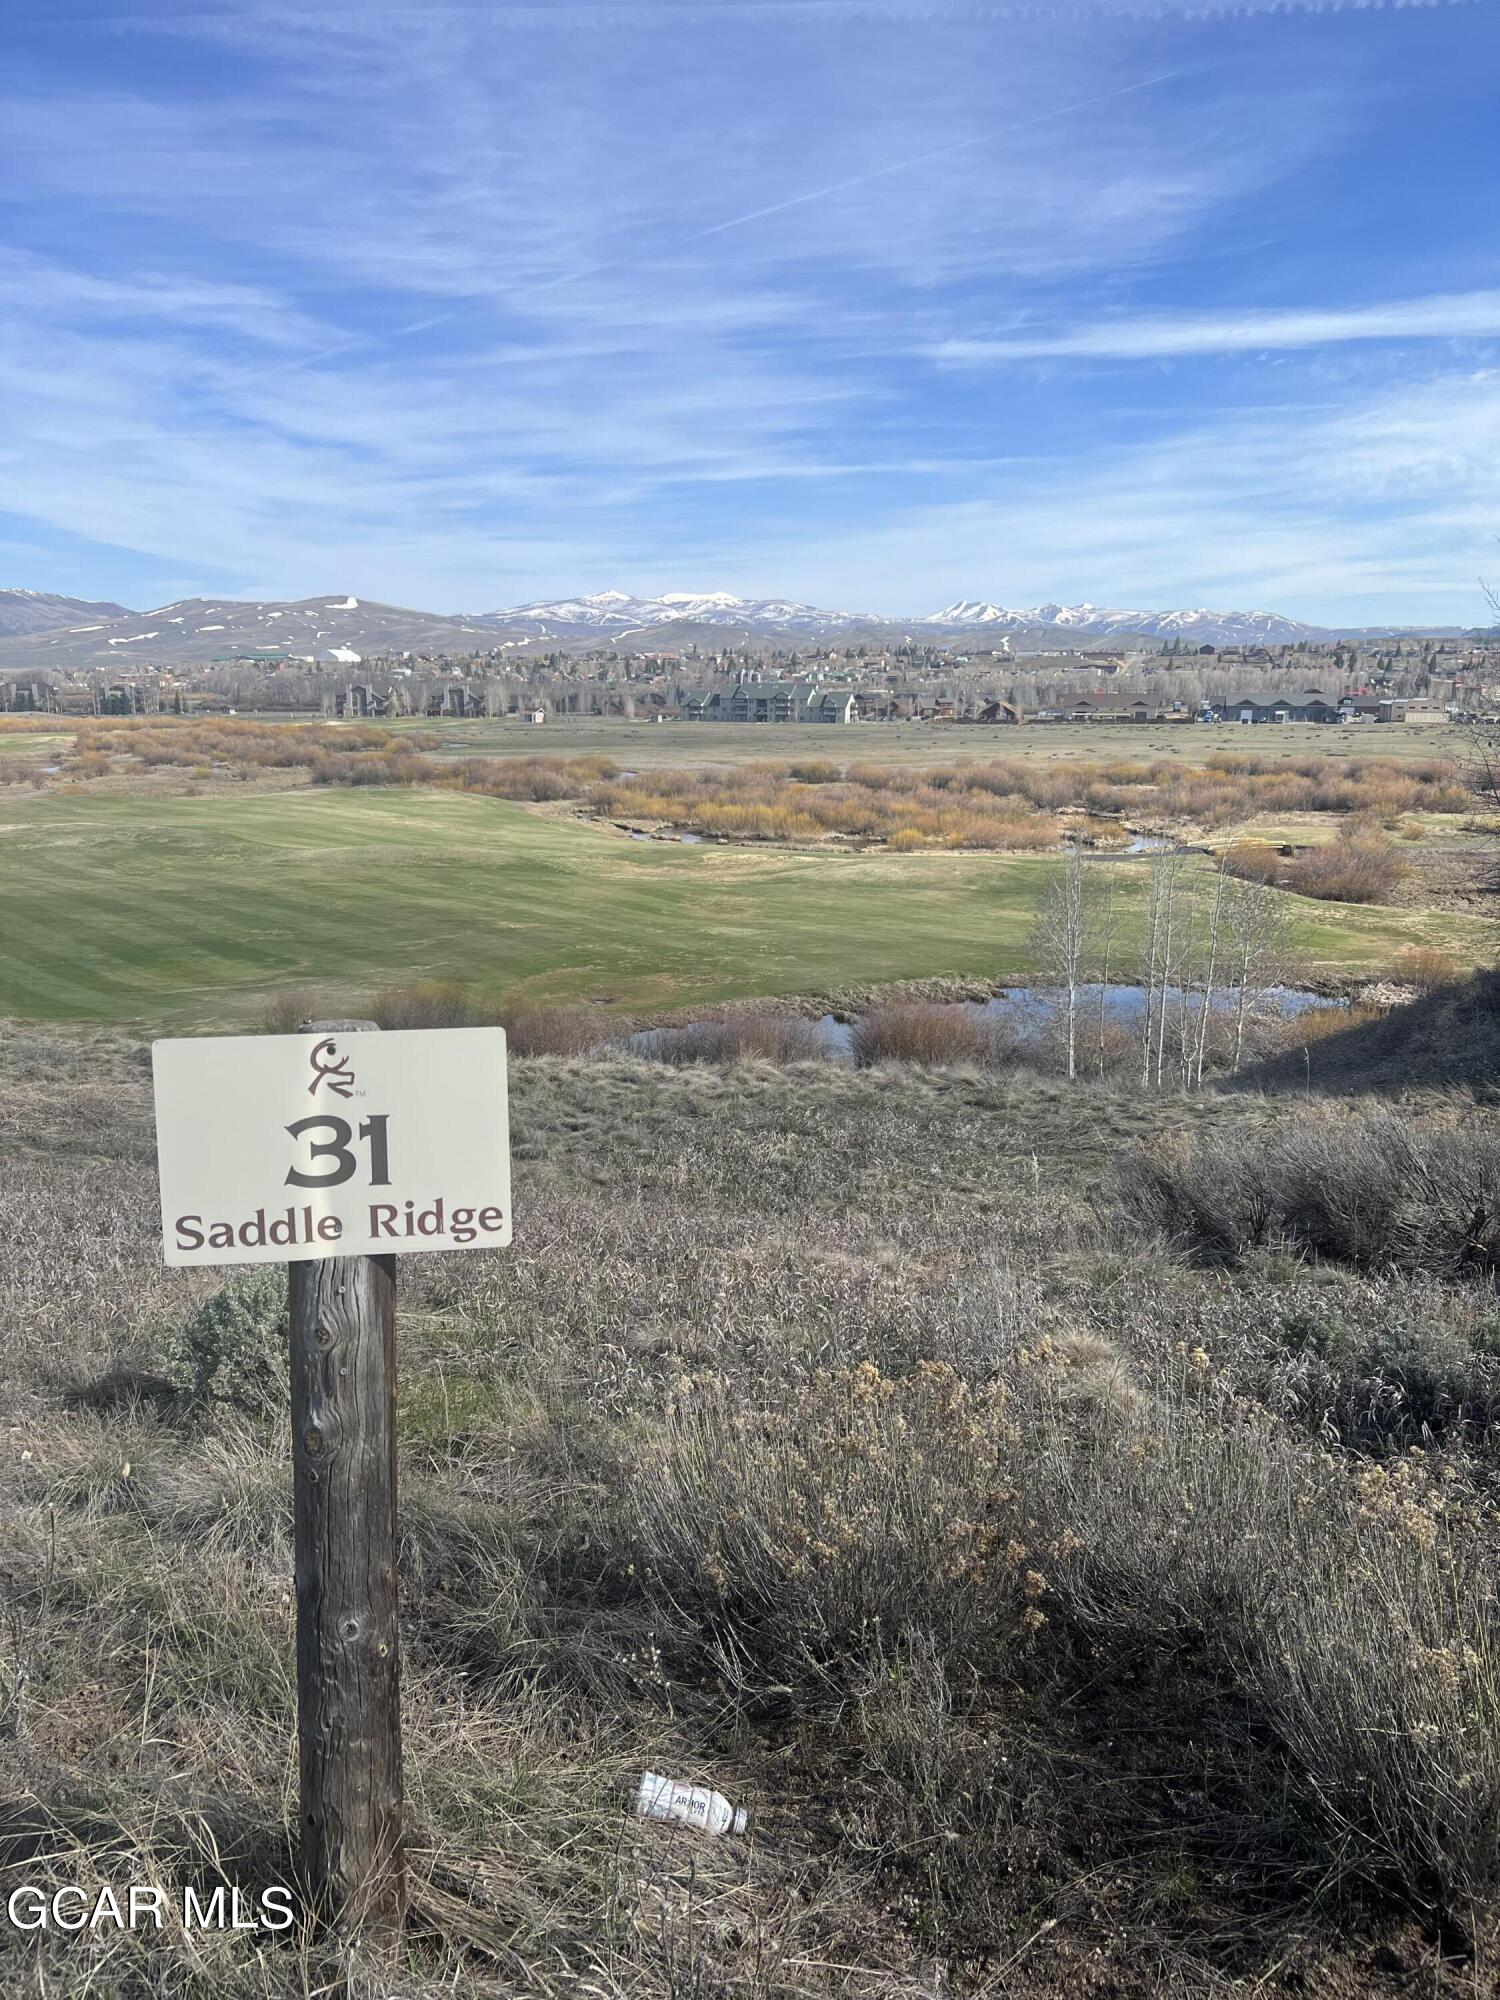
(1313, 1647)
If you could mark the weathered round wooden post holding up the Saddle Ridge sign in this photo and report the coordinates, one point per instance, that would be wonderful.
(349, 1695)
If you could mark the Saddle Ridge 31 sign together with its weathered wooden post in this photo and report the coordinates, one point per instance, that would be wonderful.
(337, 1159)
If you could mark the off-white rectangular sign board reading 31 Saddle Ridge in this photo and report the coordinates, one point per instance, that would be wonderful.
(279, 1147)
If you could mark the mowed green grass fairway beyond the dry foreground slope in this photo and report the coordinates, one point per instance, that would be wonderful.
(193, 911)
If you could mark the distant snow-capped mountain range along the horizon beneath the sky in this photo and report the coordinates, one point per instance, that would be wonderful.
(41, 631)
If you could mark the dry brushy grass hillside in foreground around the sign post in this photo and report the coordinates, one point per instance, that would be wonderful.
(1081, 1599)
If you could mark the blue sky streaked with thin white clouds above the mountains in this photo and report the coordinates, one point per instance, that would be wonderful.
(869, 303)
